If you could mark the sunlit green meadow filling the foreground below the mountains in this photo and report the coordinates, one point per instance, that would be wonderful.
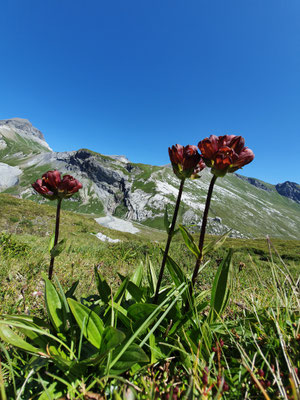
(248, 349)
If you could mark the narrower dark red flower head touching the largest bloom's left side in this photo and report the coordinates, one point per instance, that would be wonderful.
(186, 161)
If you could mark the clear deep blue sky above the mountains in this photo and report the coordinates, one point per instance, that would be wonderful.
(136, 76)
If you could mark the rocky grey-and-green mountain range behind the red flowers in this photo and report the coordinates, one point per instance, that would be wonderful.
(139, 192)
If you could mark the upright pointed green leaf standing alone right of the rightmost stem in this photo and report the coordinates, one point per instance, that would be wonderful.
(221, 288)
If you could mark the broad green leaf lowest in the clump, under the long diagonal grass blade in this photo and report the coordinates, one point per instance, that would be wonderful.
(134, 354)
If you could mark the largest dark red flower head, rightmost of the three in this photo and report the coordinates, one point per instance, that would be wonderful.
(225, 153)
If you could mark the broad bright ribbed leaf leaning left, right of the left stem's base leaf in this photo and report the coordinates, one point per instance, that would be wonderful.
(93, 327)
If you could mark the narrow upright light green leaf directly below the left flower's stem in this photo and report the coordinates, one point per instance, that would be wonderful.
(55, 307)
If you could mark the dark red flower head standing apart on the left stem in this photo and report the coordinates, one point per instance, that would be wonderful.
(53, 187)
